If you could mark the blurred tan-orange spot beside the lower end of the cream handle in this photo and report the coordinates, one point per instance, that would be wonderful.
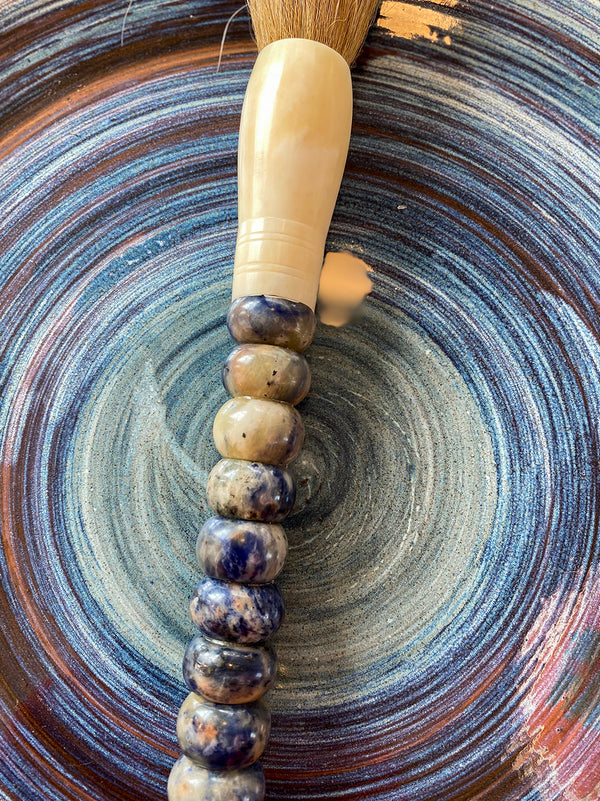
(343, 286)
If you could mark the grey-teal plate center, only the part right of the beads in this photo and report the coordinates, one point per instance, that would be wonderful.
(397, 496)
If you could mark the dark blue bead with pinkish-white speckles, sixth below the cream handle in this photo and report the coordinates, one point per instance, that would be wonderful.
(243, 613)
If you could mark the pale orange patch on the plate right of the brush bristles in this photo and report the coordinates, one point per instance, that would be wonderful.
(410, 21)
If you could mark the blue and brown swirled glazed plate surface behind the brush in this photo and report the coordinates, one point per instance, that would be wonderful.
(442, 641)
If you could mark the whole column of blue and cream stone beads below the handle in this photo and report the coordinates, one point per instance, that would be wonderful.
(223, 724)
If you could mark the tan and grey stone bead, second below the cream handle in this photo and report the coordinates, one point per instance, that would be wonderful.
(266, 371)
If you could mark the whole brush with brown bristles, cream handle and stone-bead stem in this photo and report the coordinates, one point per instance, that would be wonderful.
(294, 135)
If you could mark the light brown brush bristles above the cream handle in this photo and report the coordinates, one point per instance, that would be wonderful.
(340, 24)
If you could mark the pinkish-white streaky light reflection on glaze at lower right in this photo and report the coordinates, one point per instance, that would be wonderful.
(562, 700)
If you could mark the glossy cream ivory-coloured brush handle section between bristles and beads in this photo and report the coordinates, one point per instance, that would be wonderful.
(294, 135)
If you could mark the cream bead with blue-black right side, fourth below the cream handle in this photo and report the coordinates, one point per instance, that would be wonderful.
(250, 491)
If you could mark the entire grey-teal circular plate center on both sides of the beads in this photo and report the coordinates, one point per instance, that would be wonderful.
(396, 495)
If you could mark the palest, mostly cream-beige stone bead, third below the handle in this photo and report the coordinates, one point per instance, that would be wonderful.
(258, 431)
